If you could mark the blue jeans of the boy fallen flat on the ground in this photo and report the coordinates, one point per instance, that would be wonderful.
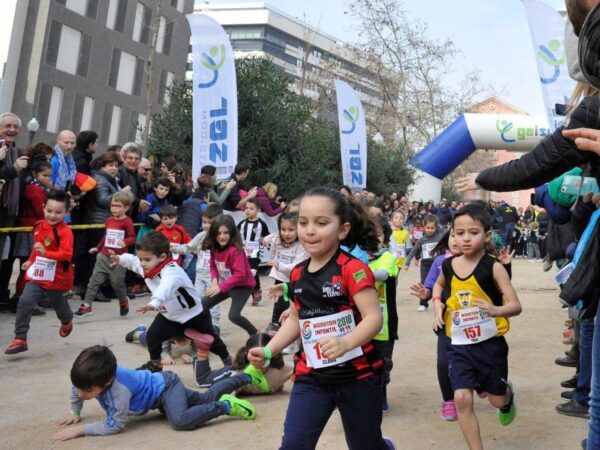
(187, 409)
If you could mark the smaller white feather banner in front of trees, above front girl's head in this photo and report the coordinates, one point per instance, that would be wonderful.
(353, 136)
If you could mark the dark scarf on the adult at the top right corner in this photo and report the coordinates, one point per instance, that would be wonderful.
(589, 47)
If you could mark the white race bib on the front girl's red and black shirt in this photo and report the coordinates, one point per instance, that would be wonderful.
(339, 324)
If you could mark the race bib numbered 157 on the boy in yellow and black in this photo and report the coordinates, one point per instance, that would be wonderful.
(472, 325)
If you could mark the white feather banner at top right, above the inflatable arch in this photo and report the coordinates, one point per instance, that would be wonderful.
(548, 33)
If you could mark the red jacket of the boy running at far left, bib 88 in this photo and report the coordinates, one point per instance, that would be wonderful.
(58, 242)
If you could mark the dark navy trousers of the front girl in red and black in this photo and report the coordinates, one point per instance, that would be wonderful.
(311, 405)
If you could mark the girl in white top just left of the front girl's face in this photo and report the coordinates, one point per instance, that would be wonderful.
(286, 251)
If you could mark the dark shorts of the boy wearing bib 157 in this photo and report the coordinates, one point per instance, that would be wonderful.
(480, 366)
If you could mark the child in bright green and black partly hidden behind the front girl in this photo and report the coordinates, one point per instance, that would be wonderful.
(383, 265)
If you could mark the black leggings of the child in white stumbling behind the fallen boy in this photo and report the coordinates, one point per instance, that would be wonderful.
(163, 329)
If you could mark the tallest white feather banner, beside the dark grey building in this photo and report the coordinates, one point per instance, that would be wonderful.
(215, 113)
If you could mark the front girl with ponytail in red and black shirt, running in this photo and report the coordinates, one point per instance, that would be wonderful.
(339, 366)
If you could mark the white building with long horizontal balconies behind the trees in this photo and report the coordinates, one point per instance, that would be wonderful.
(310, 57)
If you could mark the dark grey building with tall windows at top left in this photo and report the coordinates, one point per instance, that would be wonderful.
(83, 64)
